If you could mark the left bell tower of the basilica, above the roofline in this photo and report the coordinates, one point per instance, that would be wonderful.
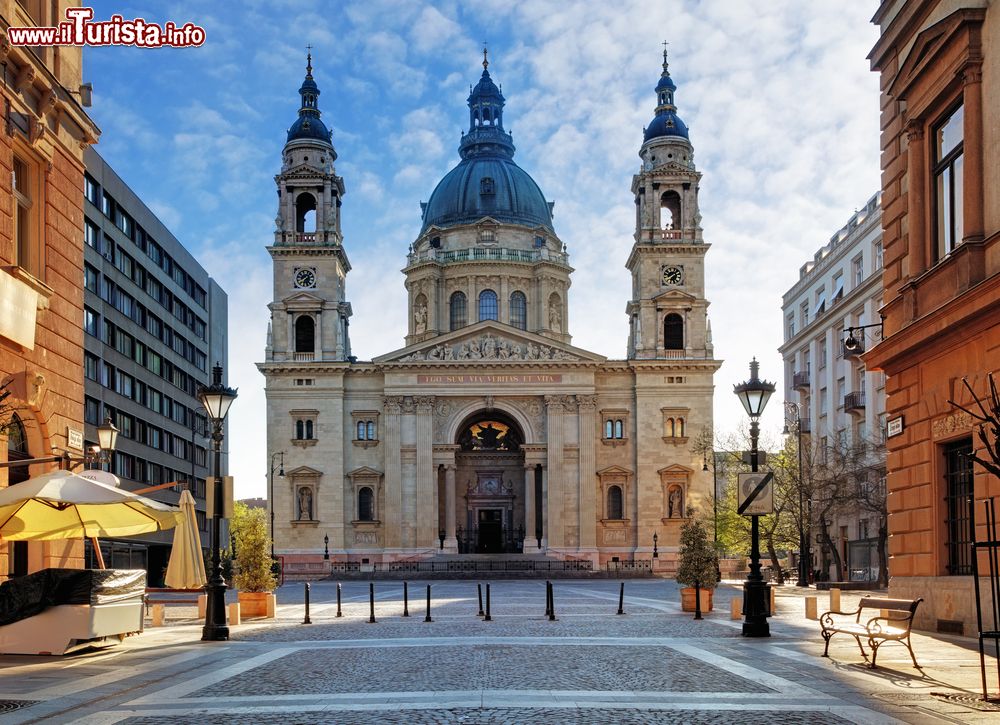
(309, 311)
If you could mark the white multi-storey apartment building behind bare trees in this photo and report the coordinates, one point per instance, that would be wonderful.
(839, 403)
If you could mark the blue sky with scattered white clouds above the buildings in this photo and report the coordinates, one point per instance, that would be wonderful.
(779, 99)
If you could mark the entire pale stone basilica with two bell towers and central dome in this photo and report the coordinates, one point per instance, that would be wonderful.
(489, 432)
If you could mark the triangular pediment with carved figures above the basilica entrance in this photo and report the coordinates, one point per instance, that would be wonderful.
(489, 342)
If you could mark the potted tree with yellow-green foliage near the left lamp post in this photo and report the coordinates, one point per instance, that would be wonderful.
(252, 560)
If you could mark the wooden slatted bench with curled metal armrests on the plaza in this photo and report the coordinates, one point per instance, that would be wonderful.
(892, 623)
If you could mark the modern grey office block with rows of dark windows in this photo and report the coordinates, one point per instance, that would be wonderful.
(155, 322)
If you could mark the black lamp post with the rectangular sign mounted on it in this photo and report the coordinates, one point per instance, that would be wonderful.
(753, 394)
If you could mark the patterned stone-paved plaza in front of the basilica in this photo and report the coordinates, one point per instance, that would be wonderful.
(654, 664)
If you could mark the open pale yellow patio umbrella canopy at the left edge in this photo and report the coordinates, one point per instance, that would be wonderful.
(65, 505)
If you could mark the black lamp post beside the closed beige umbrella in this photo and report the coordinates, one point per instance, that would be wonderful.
(216, 398)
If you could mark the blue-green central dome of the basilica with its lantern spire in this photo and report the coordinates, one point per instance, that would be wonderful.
(487, 182)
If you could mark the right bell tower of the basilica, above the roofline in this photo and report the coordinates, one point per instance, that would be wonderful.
(668, 312)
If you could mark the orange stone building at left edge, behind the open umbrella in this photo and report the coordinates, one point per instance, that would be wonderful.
(41, 262)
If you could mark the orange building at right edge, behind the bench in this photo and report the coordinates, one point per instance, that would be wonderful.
(939, 62)
